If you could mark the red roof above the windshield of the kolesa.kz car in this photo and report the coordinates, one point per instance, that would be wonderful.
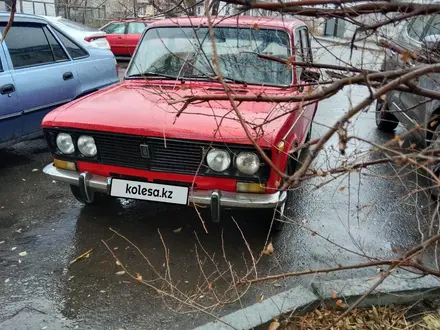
(260, 21)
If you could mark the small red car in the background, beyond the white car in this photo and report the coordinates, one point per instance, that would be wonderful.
(123, 36)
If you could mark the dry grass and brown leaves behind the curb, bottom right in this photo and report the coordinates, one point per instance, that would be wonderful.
(372, 319)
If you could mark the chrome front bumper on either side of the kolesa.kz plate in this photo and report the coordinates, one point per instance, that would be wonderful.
(201, 197)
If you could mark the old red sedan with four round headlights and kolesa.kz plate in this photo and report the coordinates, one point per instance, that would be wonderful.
(127, 140)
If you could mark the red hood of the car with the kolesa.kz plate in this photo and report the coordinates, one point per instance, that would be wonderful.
(143, 109)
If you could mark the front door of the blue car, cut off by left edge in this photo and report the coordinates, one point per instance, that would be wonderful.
(10, 113)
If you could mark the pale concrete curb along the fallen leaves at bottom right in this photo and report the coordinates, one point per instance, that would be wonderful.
(401, 288)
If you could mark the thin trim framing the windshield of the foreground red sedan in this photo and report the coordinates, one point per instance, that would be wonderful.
(195, 27)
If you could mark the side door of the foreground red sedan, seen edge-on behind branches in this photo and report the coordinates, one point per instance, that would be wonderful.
(303, 53)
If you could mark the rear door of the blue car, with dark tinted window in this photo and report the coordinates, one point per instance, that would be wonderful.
(43, 73)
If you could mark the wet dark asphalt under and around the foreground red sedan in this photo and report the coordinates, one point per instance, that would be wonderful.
(374, 212)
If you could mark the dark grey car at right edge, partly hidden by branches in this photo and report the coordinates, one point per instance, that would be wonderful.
(421, 35)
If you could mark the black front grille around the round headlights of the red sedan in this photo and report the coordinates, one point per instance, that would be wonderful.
(164, 155)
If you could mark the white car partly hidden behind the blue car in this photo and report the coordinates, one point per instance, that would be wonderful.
(89, 37)
